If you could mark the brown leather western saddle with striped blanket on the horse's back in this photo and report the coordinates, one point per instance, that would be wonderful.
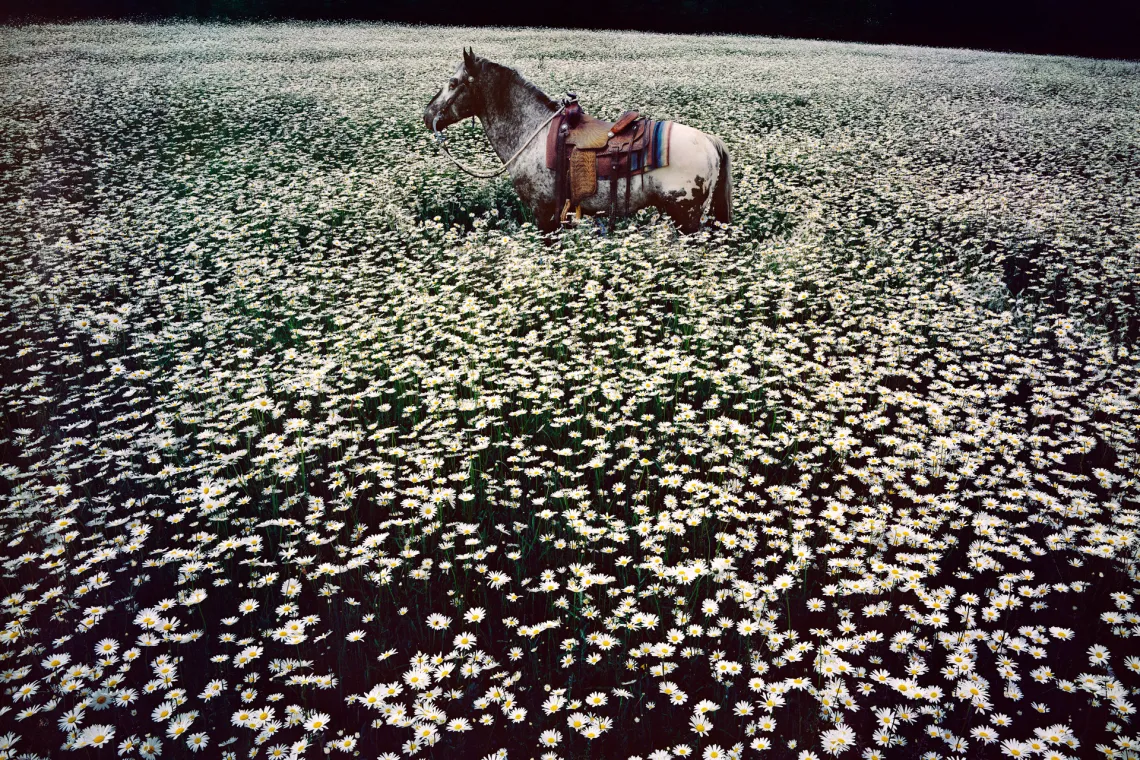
(583, 150)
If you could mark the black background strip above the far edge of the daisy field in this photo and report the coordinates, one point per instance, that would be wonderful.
(1094, 28)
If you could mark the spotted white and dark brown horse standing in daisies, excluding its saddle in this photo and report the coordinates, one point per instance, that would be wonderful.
(517, 118)
